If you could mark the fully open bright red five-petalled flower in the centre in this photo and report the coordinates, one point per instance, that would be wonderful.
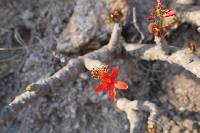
(110, 82)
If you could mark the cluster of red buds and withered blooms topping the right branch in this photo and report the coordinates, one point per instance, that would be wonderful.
(156, 18)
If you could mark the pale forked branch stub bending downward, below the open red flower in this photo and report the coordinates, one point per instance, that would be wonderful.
(130, 108)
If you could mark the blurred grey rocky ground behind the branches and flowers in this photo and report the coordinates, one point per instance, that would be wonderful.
(38, 37)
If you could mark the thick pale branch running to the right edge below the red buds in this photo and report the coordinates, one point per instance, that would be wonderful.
(182, 57)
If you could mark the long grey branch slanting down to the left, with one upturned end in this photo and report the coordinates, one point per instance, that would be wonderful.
(64, 76)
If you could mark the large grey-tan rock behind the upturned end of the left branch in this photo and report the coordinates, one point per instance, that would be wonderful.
(88, 23)
